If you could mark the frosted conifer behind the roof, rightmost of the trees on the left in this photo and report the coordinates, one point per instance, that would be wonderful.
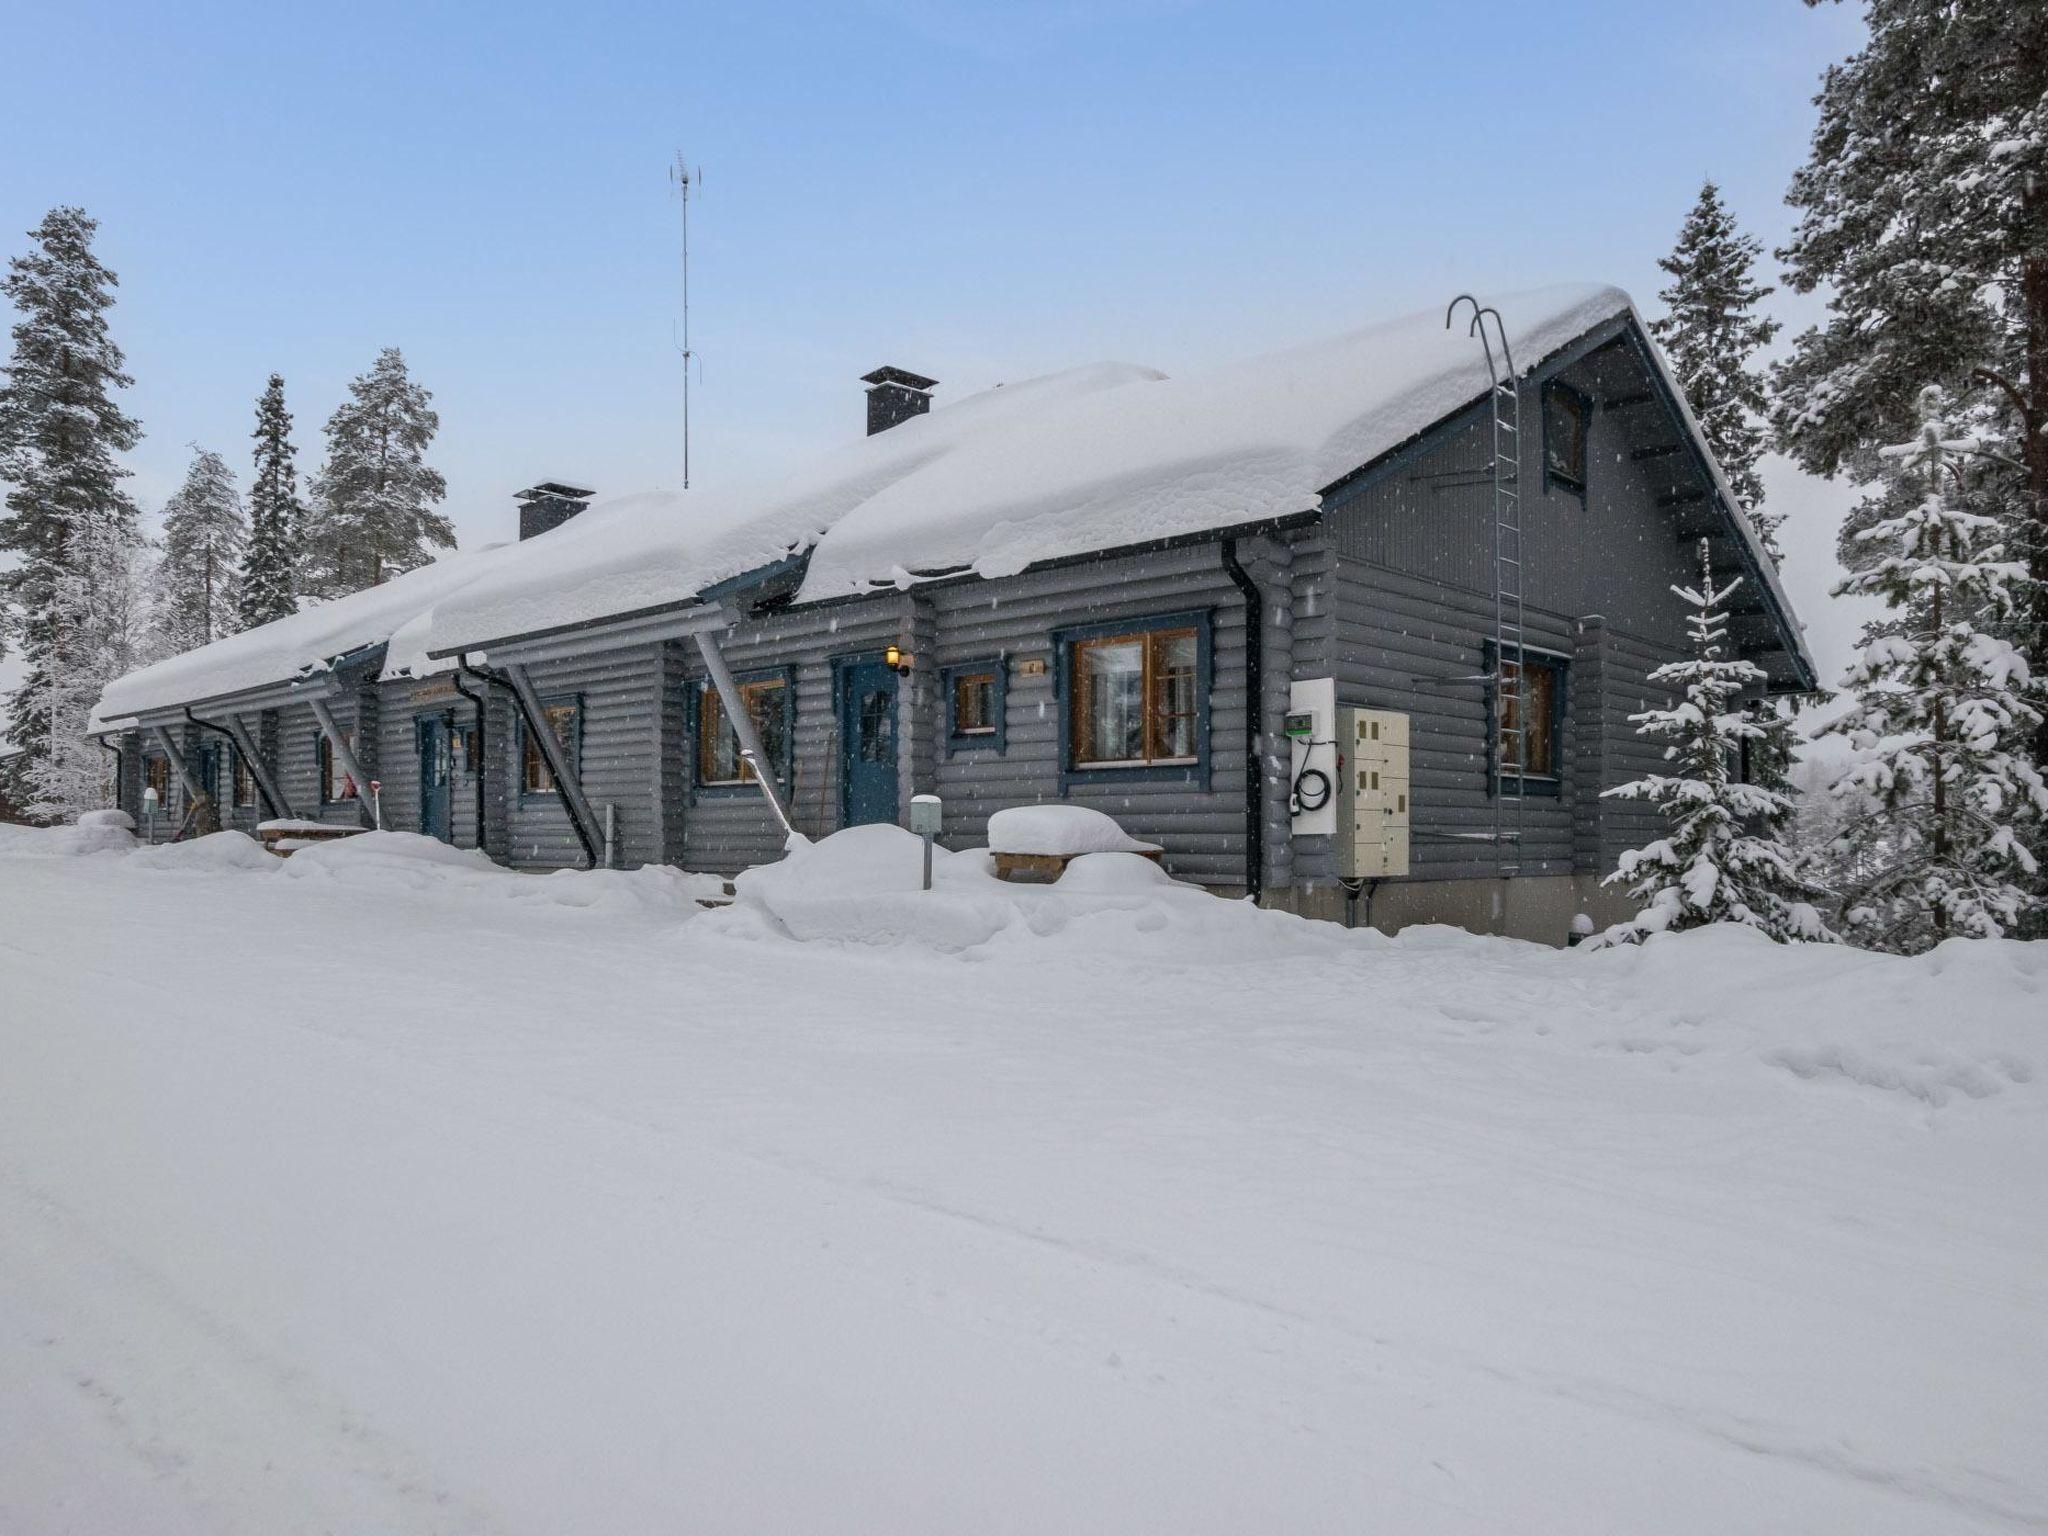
(374, 503)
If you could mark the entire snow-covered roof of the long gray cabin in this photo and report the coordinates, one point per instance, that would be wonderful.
(1097, 458)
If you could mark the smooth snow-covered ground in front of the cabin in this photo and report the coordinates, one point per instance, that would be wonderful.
(382, 1193)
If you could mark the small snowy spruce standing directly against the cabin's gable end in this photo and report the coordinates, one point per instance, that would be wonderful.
(1725, 859)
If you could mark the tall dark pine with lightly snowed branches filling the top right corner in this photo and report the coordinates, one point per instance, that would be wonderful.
(1924, 218)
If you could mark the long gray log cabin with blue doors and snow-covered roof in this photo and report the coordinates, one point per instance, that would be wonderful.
(1213, 607)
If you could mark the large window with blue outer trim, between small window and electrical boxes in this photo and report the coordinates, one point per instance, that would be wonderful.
(1134, 699)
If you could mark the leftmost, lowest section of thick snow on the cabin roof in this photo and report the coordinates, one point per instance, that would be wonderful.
(284, 650)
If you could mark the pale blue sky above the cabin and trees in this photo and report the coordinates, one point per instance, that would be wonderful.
(976, 191)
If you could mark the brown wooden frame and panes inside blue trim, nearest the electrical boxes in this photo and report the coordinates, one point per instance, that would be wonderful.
(1136, 697)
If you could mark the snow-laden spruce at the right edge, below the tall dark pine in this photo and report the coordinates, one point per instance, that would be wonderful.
(1943, 716)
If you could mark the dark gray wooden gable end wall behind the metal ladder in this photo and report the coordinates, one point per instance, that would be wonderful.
(1412, 595)
